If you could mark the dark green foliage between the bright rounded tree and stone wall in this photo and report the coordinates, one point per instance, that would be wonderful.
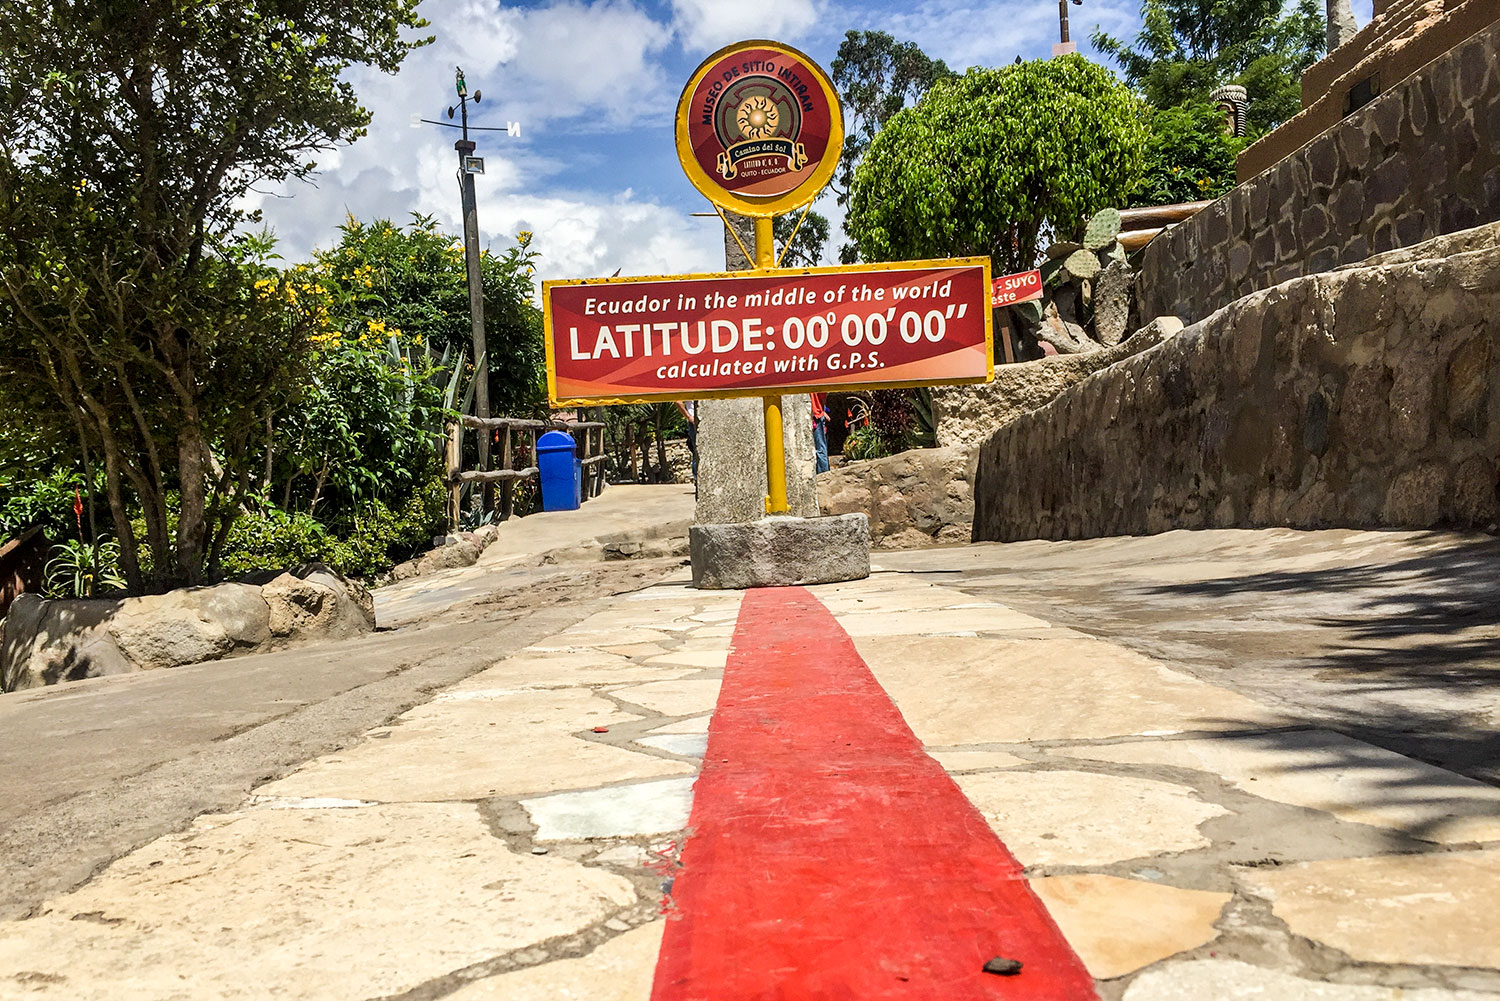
(1189, 157)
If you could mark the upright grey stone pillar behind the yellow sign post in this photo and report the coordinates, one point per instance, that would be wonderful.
(731, 439)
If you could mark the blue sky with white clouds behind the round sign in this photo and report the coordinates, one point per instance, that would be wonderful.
(595, 86)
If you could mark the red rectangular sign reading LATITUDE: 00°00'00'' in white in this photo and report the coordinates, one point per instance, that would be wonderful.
(755, 334)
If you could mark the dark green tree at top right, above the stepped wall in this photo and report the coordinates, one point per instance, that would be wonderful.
(1187, 49)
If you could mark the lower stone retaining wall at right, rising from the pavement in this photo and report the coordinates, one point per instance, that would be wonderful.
(1361, 398)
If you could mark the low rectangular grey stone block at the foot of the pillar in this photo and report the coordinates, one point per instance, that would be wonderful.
(781, 553)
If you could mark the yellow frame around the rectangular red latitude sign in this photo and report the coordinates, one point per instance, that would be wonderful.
(778, 272)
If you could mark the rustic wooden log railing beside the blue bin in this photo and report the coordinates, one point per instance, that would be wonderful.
(590, 436)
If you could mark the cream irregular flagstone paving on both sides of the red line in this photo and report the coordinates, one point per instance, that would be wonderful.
(511, 838)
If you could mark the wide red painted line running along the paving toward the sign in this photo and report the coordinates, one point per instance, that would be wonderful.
(829, 858)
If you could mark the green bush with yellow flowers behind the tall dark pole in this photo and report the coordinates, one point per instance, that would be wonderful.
(391, 364)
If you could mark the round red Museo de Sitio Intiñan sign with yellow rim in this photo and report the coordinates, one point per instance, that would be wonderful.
(760, 128)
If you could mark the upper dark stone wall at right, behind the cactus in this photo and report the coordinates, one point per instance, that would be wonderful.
(1420, 161)
